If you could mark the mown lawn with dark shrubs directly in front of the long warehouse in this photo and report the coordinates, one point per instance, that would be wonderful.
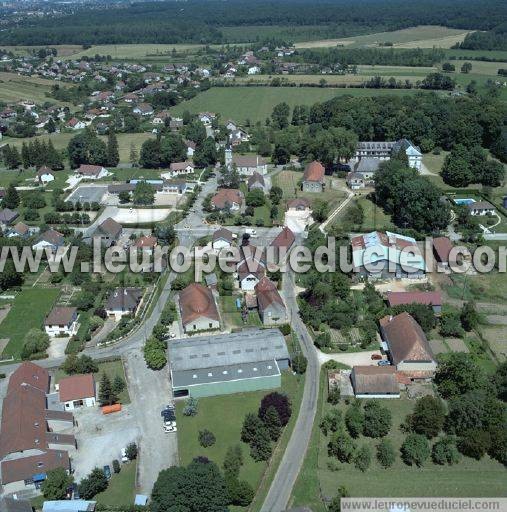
(211, 414)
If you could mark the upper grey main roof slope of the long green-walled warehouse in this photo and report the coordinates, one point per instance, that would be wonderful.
(247, 346)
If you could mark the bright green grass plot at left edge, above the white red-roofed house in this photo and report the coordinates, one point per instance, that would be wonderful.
(28, 311)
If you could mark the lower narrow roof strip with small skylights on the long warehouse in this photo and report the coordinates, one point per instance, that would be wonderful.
(225, 373)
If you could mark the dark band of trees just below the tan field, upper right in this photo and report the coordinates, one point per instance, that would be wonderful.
(373, 56)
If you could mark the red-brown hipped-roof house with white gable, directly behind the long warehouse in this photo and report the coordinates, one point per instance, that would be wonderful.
(198, 308)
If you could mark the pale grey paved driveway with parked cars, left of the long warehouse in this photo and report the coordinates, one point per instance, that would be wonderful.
(150, 391)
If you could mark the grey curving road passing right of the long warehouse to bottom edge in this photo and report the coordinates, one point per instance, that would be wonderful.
(281, 488)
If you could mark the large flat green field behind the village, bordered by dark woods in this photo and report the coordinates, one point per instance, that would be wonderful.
(256, 103)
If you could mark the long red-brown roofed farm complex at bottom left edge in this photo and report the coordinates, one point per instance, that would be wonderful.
(31, 438)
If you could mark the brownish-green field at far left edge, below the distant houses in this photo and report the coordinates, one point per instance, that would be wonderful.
(15, 88)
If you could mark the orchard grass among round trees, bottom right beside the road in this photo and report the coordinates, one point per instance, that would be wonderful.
(317, 479)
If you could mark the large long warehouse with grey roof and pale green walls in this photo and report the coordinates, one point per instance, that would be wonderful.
(249, 360)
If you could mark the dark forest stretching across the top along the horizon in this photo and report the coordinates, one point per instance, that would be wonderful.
(202, 22)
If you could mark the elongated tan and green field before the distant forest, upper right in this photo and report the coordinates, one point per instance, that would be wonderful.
(424, 36)
